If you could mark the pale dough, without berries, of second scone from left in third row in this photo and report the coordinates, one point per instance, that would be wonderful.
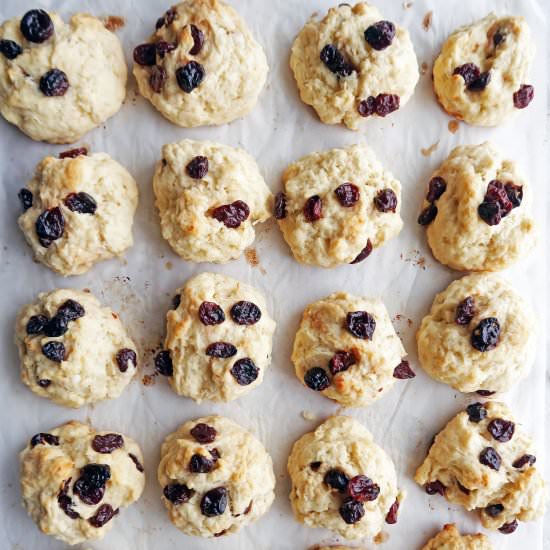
(198, 375)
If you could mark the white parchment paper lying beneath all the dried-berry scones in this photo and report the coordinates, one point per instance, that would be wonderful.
(403, 273)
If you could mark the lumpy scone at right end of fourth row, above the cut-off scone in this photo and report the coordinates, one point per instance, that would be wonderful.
(482, 460)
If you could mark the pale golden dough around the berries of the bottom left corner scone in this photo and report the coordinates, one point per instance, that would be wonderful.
(45, 468)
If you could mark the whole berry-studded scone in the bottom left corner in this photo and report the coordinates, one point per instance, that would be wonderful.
(75, 480)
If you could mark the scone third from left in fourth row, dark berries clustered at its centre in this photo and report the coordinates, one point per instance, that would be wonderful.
(342, 481)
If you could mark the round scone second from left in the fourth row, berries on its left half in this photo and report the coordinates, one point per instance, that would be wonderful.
(216, 477)
